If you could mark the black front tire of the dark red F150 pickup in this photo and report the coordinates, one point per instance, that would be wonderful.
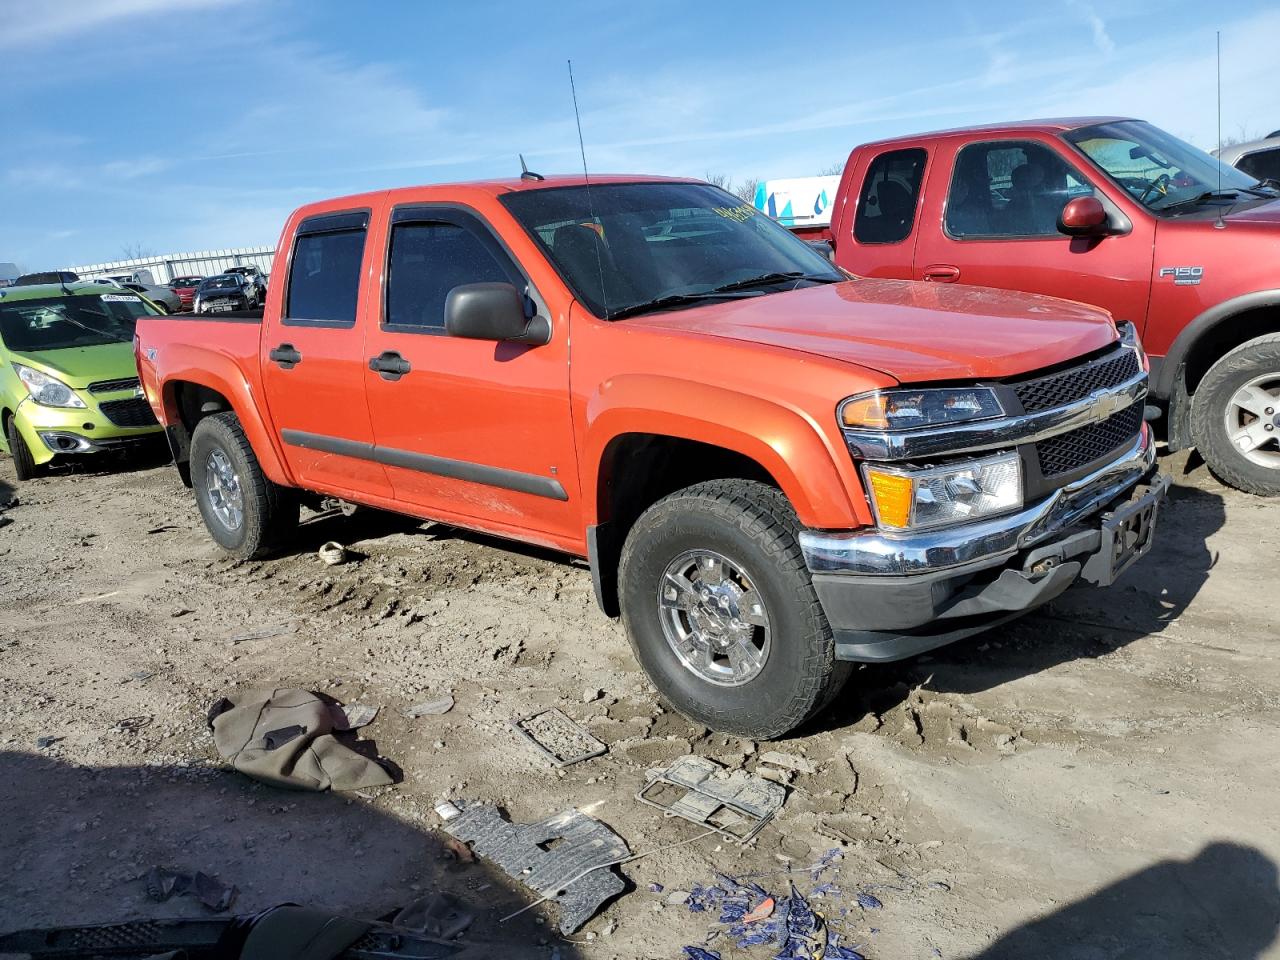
(1210, 408)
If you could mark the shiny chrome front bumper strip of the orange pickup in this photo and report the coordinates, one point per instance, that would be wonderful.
(982, 545)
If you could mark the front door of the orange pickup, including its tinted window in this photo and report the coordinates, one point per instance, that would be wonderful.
(473, 429)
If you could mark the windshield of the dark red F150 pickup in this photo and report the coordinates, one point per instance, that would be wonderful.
(1160, 171)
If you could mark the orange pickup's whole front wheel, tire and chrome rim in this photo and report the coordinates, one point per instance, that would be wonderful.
(721, 611)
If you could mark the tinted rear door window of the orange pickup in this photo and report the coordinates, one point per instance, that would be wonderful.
(324, 275)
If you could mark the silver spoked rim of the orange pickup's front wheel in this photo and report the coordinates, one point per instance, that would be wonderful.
(715, 619)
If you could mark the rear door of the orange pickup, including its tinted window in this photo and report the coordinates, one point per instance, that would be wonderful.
(313, 359)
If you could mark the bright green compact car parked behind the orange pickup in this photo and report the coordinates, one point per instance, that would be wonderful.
(68, 381)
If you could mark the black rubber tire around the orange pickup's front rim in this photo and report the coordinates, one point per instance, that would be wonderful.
(755, 527)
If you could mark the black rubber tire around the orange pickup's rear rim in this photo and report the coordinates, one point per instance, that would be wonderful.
(269, 514)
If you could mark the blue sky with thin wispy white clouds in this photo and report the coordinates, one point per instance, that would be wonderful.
(195, 125)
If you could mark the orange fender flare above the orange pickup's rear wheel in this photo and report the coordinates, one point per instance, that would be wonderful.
(223, 374)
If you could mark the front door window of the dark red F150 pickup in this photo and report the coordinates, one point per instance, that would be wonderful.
(1011, 190)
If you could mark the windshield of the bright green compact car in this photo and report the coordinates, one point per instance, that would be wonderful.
(58, 323)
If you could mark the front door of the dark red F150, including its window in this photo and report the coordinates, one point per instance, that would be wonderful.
(993, 211)
